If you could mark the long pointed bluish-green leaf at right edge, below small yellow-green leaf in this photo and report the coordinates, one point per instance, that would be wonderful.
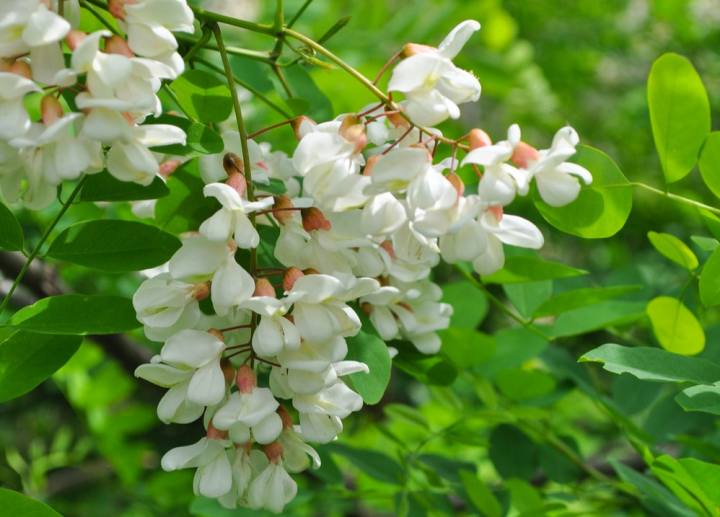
(653, 364)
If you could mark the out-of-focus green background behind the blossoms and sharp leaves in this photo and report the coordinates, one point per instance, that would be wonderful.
(89, 442)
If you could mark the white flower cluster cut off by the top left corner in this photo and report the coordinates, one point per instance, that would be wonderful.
(111, 82)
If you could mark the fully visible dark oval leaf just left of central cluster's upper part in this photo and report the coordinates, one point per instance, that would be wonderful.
(114, 245)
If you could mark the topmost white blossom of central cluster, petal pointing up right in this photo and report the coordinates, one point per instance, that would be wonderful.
(432, 84)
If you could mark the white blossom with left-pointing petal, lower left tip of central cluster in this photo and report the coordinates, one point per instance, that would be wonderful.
(214, 475)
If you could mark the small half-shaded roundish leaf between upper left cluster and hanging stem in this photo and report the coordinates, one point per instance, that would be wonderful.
(203, 96)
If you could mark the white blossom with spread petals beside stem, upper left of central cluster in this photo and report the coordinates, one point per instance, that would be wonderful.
(232, 220)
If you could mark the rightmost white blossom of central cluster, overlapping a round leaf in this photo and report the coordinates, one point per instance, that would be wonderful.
(557, 180)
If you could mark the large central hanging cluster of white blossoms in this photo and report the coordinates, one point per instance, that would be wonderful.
(366, 215)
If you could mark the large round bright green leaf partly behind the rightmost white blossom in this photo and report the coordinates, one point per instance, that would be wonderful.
(602, 208)
